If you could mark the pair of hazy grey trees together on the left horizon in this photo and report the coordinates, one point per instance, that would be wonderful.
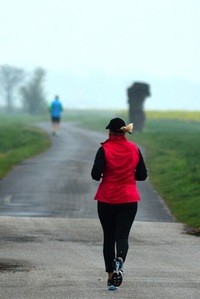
(29, 87)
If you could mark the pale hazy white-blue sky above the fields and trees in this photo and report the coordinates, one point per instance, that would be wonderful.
(93, 50)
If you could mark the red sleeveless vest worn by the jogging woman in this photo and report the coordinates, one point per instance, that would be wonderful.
(118, 183)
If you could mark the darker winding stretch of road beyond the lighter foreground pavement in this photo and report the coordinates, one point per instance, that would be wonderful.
(58, 182)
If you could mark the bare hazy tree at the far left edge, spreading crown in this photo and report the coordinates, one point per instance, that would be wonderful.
(10, 78)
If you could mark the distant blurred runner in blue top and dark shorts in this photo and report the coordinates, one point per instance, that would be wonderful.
(56, 110)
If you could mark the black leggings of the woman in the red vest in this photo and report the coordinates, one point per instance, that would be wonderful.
(116, 221)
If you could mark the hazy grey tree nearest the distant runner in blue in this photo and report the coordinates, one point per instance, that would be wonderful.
(33, 97)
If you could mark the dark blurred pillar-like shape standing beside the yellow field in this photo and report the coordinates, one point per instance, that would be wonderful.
(136, 97)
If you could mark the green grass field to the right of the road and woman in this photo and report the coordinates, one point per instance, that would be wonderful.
(173, 155)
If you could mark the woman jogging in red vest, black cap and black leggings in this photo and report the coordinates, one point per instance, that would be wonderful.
(119, 163)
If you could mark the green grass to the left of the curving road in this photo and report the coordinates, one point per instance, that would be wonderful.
(19, 141)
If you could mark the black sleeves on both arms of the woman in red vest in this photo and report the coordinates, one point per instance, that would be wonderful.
(99, 165)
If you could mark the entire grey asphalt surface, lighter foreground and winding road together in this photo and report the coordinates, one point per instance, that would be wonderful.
(51, 239)
